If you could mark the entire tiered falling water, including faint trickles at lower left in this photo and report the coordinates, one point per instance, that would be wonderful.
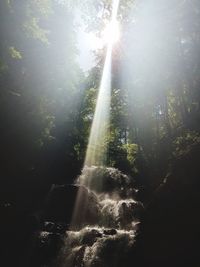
(107, 234)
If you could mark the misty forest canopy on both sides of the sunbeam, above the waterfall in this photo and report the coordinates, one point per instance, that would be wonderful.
(48, 100)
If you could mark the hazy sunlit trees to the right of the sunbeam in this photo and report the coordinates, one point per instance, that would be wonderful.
(154, 80)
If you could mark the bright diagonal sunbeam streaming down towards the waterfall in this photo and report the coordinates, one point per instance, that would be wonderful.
(96, 153)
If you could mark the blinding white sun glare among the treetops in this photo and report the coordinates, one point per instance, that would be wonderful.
(109, 36)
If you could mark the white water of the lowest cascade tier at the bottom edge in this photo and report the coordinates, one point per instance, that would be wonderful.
(91, 245)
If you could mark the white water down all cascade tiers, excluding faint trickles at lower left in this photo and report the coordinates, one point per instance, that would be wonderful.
(107, 241)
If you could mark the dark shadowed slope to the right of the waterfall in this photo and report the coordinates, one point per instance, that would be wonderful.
(170, 227)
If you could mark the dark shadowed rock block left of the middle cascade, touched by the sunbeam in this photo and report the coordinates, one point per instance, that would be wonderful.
(62, 201)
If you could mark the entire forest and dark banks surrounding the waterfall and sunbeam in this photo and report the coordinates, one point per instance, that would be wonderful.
(47, 106)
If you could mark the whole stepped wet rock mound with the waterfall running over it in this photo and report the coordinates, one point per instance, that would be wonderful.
(101, 221)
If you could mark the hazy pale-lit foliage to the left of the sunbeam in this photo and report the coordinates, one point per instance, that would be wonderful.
(41, 85)
